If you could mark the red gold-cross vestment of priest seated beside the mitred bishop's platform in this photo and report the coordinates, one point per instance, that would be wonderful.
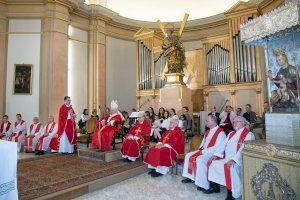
(131, 147)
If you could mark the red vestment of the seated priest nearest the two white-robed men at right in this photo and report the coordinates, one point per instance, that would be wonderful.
(165, 156)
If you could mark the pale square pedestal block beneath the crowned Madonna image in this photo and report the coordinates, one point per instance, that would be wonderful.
(283, 128)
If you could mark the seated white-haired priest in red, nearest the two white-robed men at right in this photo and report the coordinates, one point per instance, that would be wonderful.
(160, 157)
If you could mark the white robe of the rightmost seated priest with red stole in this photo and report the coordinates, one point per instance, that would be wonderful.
(229, 149)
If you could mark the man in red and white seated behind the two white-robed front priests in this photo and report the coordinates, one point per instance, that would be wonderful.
(227, 117)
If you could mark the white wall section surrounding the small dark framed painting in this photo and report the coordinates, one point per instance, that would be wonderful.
(24, 40)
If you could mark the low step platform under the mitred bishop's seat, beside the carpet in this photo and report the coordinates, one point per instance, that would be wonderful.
(92, 154)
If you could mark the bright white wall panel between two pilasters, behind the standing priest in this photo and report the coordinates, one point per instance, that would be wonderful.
(78, 69)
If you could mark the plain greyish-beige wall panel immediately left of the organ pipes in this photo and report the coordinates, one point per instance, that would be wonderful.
(121, 72)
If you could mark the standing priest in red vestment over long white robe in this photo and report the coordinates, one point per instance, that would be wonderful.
(66, 128)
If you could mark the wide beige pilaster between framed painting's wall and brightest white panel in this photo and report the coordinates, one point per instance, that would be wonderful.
(54, 59)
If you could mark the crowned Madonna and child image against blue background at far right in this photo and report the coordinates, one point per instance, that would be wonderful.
(284, 71)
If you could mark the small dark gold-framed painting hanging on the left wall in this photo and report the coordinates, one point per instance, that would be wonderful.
(22, 79)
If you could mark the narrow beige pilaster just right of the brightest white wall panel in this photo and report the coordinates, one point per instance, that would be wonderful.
(96, 70)
